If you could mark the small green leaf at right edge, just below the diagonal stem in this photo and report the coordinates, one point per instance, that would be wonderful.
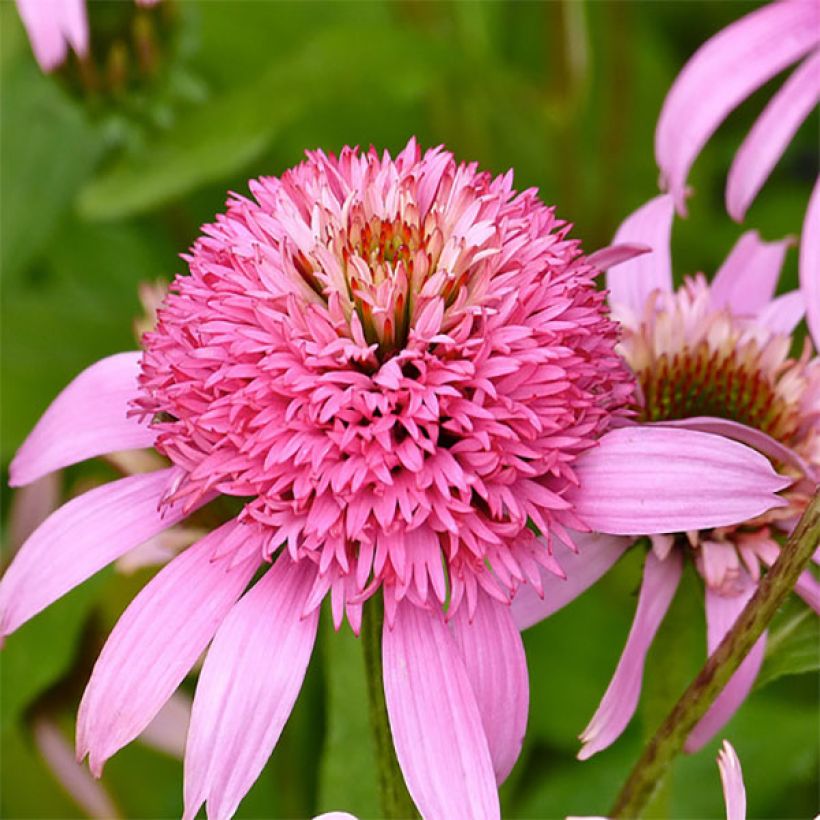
(793, 646)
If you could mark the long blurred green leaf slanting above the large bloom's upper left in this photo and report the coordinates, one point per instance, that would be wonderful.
(224, 136)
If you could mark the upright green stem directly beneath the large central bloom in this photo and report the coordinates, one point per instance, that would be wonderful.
(396, 802)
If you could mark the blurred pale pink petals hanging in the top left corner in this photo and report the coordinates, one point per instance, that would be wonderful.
(54, 26)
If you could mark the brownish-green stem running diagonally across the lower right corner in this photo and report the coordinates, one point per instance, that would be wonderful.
(668, 741)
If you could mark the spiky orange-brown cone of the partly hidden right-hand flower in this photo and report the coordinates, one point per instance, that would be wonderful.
(700, 381)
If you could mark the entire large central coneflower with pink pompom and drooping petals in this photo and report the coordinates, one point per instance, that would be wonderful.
(395, 366)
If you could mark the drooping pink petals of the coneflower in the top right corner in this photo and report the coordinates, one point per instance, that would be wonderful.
(722, 73)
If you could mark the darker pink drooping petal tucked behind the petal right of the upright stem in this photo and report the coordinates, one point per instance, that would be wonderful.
(493, 656)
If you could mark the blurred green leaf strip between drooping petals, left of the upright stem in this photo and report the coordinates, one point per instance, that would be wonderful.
(348, 776)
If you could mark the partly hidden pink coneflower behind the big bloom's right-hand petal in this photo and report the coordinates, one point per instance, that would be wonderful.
(713, 358)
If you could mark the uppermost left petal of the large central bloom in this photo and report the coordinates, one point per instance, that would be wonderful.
(87, 419)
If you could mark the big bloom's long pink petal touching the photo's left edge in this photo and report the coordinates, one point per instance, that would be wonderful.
(78, 540)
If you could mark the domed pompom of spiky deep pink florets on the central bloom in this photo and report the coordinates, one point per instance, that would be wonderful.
(396, 362)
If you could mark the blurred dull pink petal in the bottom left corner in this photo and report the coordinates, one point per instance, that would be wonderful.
(87, 792)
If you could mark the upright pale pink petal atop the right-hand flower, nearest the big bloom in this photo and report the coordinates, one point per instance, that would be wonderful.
(633, 281)
